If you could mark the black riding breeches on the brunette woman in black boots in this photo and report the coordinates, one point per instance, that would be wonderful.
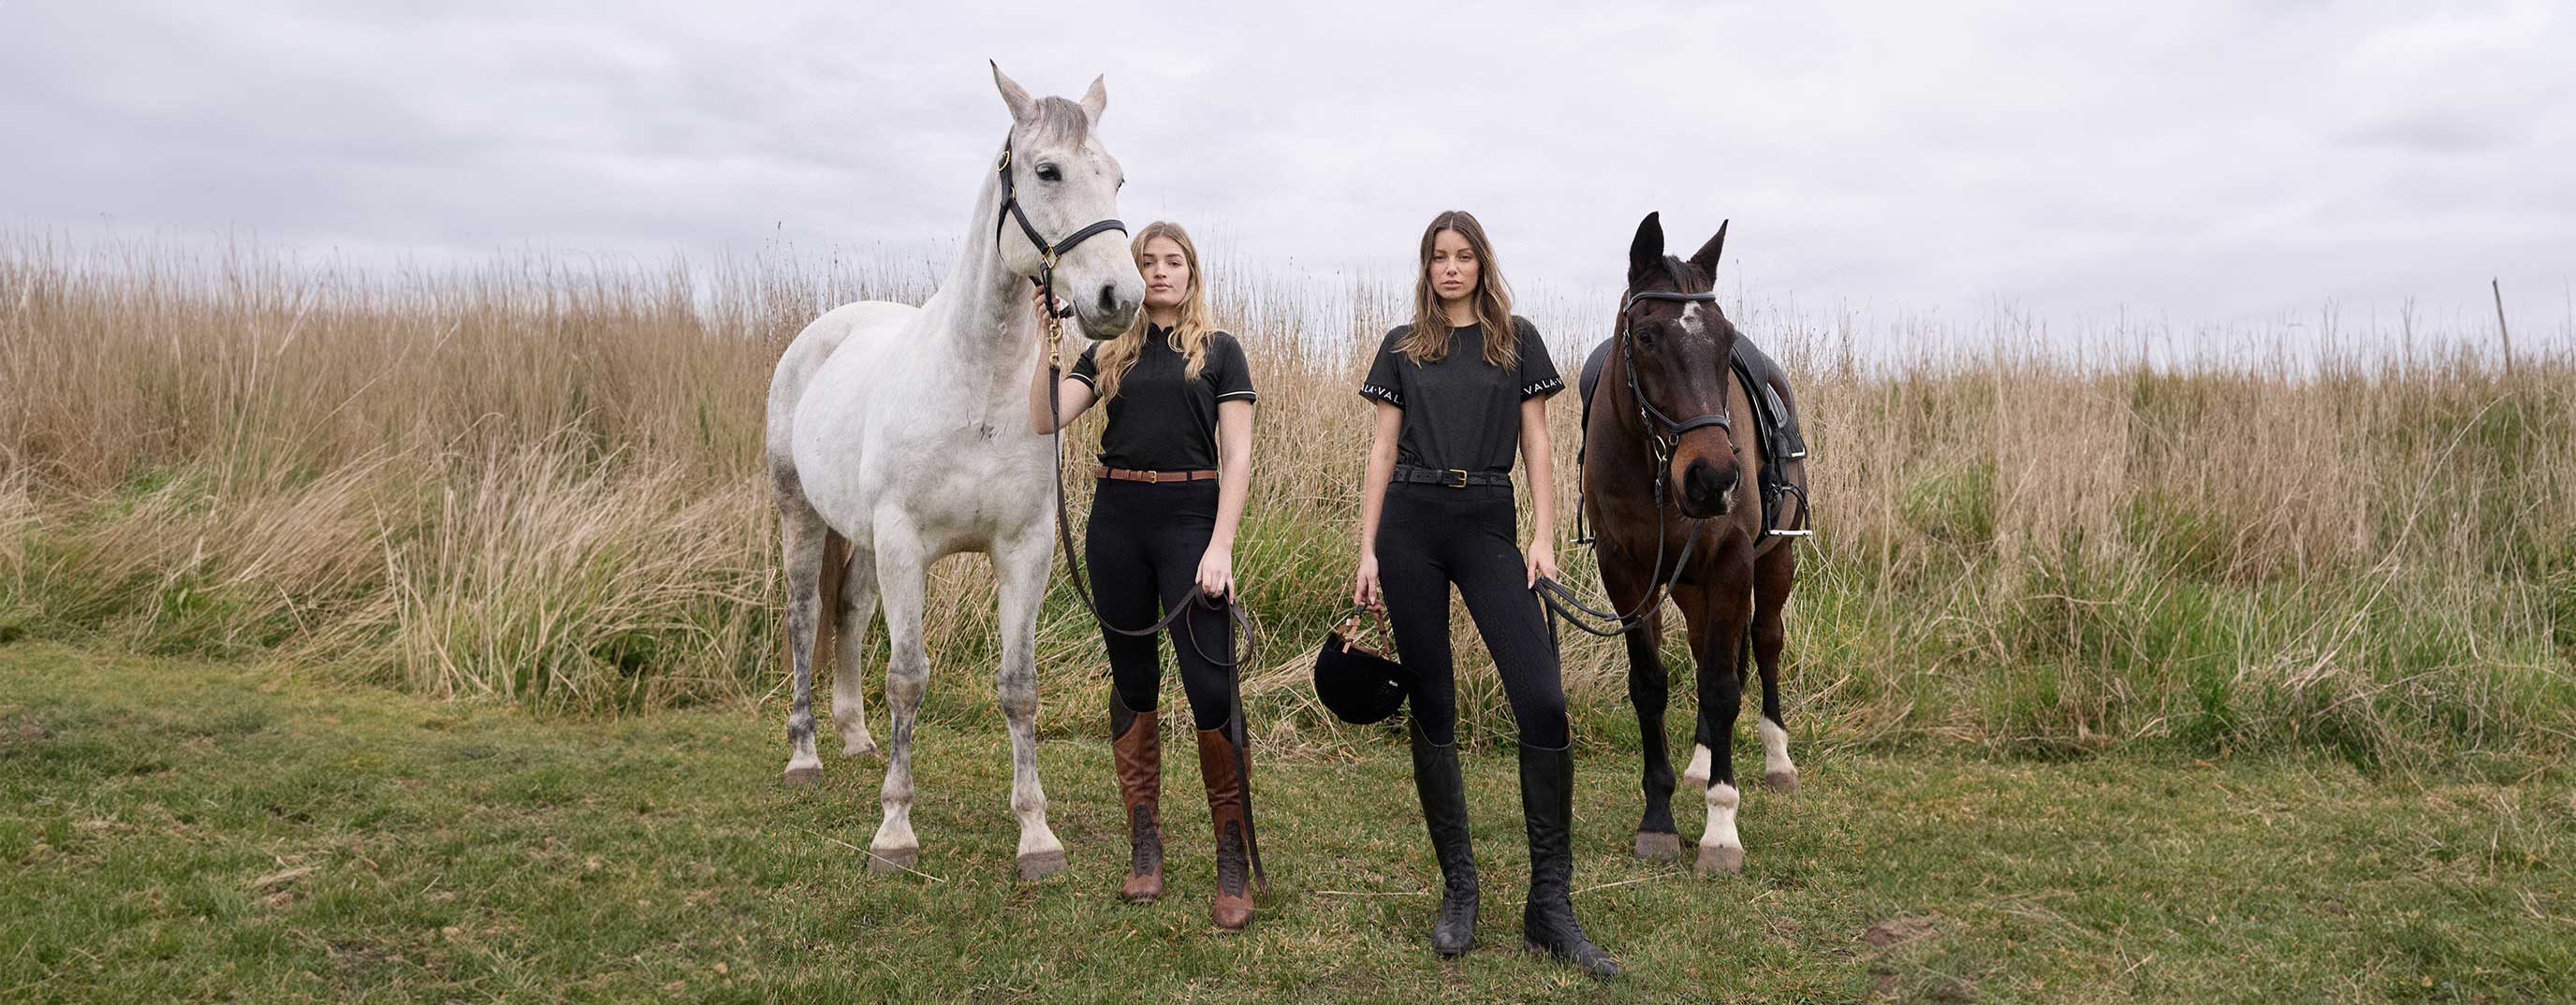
(1434, 537)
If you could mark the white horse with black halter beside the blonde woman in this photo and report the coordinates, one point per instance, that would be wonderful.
(903, 434)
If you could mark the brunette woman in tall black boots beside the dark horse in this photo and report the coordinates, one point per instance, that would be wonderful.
(1457, 390)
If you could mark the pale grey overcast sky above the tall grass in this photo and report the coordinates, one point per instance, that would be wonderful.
(2183, 161)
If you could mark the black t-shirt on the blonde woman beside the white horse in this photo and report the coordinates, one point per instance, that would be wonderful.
(1160, 419)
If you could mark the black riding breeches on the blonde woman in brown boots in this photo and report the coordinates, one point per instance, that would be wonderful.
(1145, 545)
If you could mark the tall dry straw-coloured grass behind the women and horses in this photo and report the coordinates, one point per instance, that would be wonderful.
(540, 481)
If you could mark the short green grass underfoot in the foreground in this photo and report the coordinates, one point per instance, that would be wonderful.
(202, 831)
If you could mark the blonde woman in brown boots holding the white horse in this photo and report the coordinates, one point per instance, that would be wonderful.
(1176, 463)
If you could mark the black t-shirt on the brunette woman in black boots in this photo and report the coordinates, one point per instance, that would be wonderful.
(1462, 414)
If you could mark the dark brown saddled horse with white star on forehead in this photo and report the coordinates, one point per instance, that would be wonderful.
(1673, 473)
